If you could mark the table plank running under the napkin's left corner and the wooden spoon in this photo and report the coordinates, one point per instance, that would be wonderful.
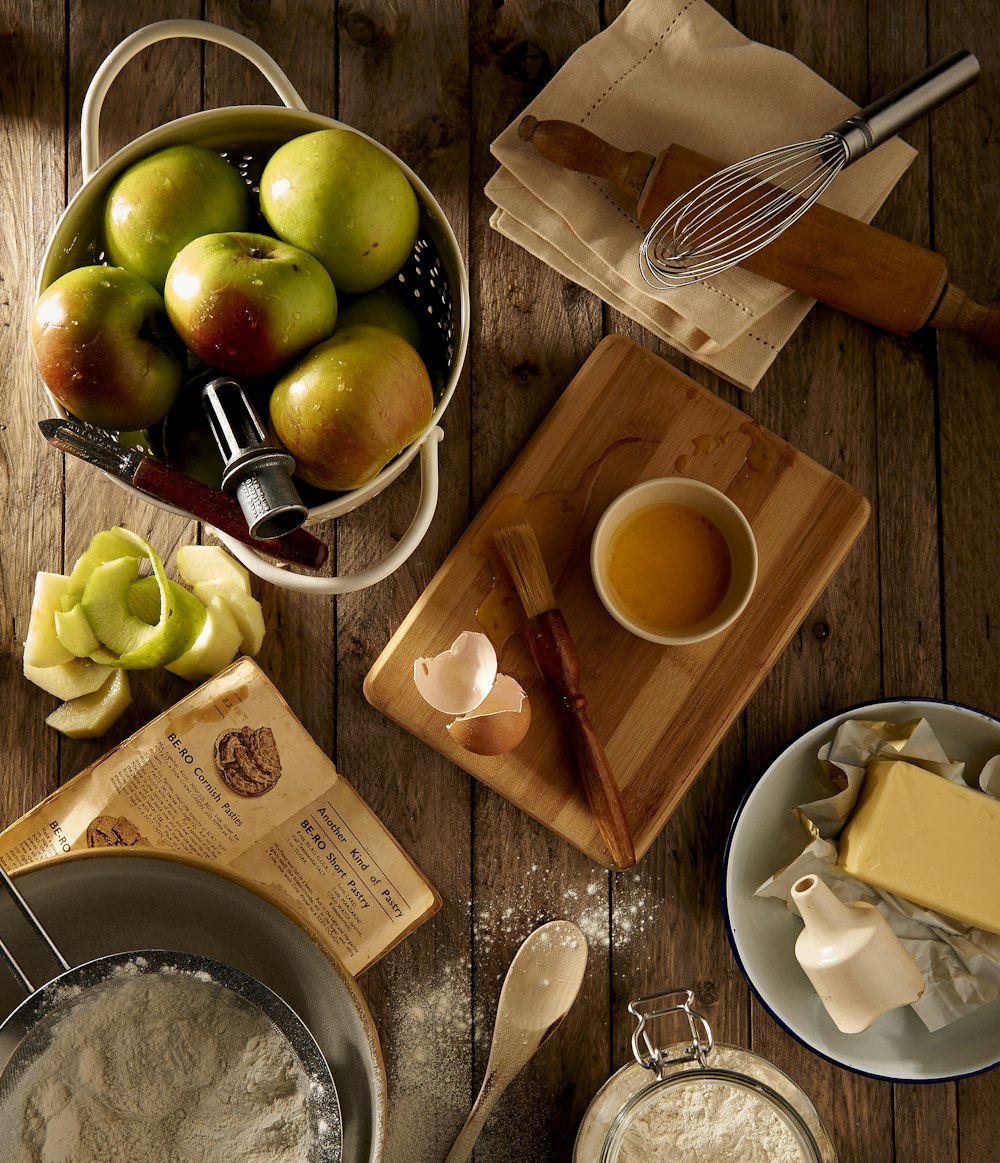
(535, 330)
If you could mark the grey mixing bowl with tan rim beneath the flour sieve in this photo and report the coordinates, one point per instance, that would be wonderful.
(115, 901)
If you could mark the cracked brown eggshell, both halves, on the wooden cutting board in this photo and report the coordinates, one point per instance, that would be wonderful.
(492, 711)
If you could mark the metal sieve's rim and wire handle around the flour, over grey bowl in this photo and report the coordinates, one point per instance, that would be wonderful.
(28, 1032)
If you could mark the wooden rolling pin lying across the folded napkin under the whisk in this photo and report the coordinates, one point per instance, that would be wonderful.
(830, 256)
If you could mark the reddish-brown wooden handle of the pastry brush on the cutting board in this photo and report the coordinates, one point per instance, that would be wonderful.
(559, 663)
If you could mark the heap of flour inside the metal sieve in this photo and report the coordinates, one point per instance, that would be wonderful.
(166, 1068)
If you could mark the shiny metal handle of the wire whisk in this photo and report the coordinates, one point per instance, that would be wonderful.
(913, 101)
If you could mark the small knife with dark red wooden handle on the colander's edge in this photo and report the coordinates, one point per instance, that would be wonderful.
(166, 484)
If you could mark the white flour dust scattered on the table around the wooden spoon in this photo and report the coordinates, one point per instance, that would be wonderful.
(433, 1030)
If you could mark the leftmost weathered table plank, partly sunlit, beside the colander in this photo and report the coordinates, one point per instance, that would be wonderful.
(33, 101)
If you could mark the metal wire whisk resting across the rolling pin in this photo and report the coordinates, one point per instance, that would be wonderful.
(741, 210)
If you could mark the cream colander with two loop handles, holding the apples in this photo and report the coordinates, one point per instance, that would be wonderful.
(433, 282)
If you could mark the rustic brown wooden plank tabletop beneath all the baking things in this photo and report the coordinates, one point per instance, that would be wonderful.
(912, 424)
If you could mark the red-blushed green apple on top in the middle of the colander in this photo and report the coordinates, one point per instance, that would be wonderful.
(249, 304)
